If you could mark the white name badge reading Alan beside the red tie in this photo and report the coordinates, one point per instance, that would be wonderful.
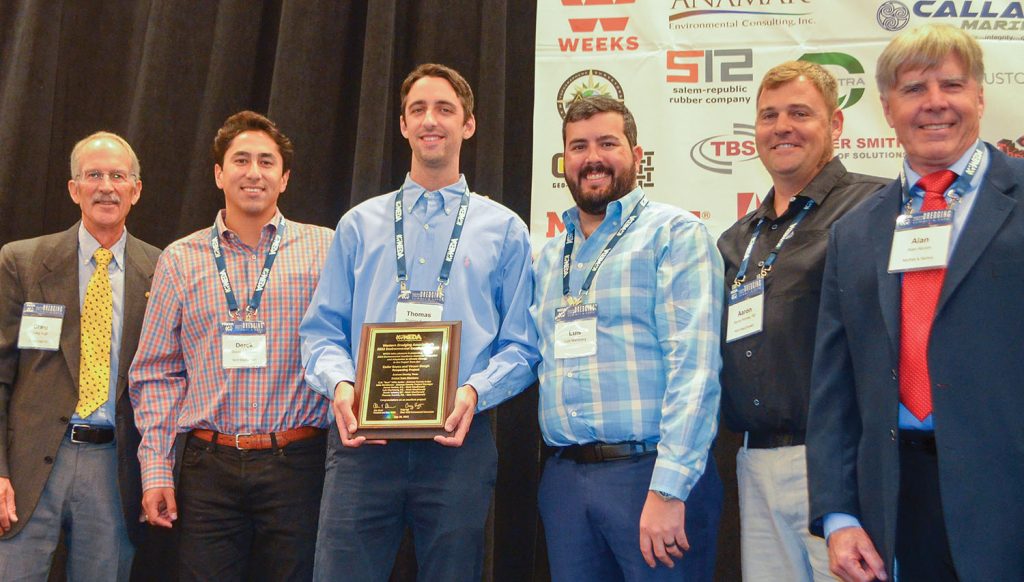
(922, 241)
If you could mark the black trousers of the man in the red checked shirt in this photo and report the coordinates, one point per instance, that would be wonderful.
(249, 515)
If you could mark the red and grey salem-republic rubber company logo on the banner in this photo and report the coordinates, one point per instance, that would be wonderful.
(710, 77)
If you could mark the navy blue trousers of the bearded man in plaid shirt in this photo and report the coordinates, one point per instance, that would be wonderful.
(591, 516)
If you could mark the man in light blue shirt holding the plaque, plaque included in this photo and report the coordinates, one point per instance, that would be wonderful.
(383, 296)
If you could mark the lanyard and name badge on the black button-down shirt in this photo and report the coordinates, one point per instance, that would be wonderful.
(747, 300)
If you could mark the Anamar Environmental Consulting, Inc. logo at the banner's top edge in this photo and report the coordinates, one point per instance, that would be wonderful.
(696, 15)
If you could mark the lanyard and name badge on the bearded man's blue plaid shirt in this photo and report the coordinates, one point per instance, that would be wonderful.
(576, 324)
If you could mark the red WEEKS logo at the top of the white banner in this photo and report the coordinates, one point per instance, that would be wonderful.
(598, 30)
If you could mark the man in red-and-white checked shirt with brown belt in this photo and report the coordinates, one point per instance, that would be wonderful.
(233, 441)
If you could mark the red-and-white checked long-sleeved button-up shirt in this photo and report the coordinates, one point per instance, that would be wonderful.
(178, 383)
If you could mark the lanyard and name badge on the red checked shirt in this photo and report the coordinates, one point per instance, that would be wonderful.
(243, 342)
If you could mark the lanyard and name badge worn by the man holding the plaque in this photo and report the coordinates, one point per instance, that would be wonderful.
(424, 306)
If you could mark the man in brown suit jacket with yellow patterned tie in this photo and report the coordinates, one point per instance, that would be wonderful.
(68, 464)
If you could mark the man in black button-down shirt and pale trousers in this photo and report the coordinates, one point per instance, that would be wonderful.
(769, 334)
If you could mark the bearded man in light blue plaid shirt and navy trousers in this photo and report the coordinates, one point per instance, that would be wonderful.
(628, 306)
